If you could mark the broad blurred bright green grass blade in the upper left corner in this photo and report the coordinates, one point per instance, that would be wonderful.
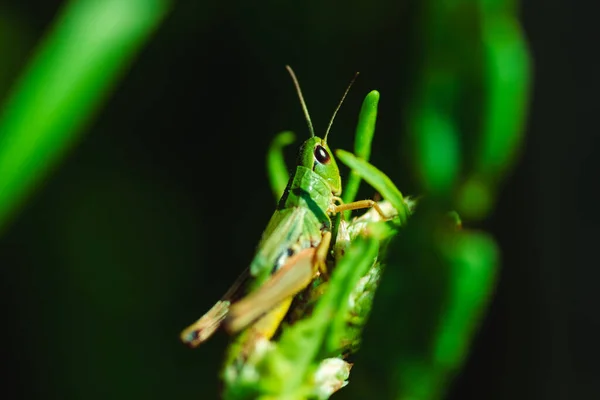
(70, 74)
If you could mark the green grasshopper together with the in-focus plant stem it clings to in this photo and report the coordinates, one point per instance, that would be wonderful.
(307, 236)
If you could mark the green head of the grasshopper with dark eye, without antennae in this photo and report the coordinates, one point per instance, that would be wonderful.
(316, 156)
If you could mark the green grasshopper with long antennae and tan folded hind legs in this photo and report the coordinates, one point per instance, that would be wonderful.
(293, 248)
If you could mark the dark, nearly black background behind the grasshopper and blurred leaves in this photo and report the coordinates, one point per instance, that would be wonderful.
(150, 218)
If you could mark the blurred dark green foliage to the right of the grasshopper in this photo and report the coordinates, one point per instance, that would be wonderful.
(465, 126)
